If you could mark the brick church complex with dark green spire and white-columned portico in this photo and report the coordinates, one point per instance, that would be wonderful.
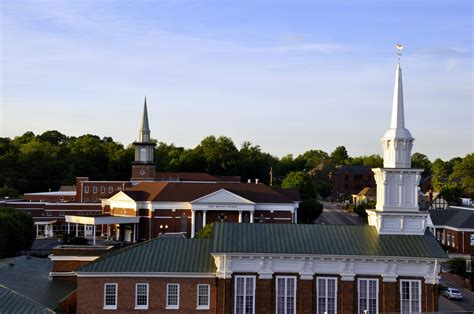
(155, 202)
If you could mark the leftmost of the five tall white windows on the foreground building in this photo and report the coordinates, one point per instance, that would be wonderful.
(244, 295)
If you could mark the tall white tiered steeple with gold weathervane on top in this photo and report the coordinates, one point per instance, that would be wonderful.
(397, 210)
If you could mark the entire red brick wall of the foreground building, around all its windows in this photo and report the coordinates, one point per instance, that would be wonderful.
(90, 295)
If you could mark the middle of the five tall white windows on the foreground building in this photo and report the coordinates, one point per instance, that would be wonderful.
(326, 288)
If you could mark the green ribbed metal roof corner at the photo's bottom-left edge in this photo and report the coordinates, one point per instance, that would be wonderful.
(13, 302)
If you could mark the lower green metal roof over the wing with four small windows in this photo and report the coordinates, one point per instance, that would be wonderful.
(157, 255)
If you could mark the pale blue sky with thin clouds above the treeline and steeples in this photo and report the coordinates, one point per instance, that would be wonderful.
(287, 75)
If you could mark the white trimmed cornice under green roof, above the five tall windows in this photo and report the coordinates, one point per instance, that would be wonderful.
(266, 265)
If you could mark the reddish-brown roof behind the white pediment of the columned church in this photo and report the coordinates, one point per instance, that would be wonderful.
(187, 192)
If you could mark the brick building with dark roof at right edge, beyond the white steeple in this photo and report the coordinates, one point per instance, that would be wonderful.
(454, 228)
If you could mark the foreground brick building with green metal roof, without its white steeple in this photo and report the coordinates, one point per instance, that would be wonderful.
(268, 268)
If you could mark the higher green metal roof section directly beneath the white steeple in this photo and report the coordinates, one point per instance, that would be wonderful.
(345, 240)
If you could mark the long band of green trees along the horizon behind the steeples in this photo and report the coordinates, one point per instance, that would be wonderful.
(34, 163)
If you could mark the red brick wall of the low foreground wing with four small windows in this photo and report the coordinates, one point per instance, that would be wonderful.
(90, 294)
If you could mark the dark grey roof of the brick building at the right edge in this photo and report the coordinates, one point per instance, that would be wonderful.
(453, 217)
